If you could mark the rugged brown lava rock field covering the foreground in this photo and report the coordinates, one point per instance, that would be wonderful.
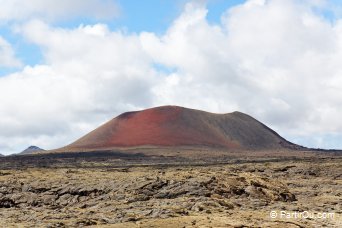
(240, 194)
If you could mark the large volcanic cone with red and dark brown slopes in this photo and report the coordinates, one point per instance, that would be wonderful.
(173, 126)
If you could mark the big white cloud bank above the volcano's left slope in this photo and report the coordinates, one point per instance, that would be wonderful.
(90, 74)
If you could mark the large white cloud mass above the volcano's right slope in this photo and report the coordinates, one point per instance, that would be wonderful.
(276, 60)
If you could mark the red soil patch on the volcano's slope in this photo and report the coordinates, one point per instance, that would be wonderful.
(163, 126)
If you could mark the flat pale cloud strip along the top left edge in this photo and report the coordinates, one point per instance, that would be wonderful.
(57, 9)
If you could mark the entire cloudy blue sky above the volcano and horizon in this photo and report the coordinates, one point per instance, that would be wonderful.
(68, 66)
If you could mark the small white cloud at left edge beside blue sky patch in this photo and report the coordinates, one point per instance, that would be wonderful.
(7, 55)
